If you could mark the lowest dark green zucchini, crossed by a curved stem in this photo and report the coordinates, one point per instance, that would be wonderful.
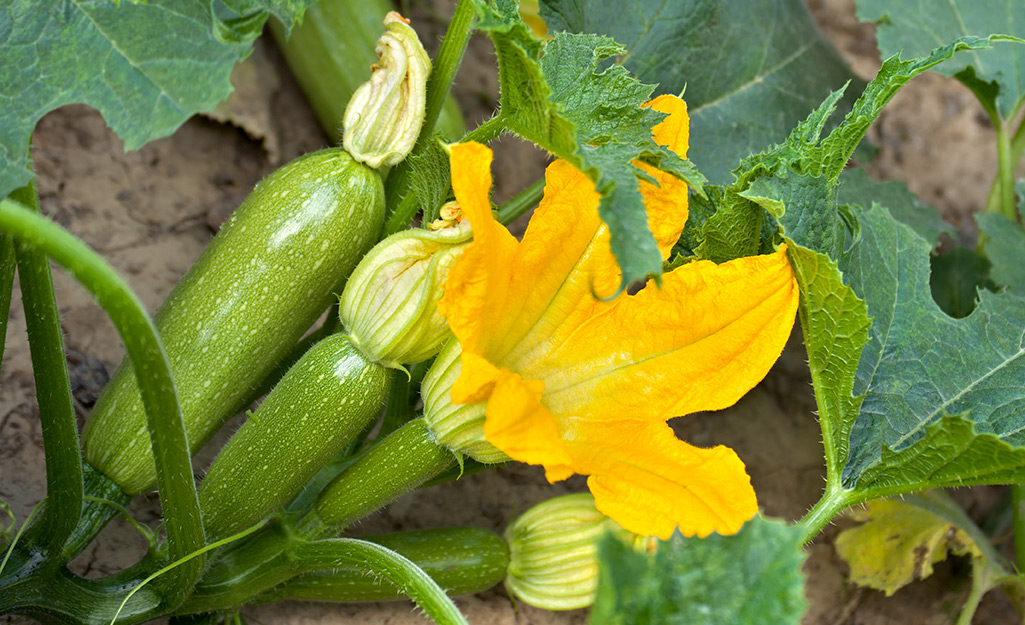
(463, 561)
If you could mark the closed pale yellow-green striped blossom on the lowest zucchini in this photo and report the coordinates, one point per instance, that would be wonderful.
(554, 553)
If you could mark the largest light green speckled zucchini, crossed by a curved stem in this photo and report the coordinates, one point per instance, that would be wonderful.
(273, 269)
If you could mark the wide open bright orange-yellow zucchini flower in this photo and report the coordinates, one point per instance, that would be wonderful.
(582, 386)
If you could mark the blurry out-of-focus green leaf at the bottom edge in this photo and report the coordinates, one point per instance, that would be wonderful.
(751, 578)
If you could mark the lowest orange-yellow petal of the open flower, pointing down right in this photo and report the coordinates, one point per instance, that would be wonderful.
(651, 483)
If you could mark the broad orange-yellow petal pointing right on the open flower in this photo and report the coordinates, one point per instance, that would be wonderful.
(702, 342)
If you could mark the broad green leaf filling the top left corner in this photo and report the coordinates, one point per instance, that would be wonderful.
(146, 67)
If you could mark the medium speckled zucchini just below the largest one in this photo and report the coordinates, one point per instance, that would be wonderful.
(330, 396)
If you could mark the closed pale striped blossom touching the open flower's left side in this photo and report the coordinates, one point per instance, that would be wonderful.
(390, 304)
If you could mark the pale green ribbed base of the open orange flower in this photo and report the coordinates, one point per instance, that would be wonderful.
(460, 428)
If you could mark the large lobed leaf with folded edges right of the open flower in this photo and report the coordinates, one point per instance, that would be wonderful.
(922, 400)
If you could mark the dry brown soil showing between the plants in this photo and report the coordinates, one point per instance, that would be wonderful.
(151, 213)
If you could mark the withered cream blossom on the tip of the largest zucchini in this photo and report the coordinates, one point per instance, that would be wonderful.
(386, 114)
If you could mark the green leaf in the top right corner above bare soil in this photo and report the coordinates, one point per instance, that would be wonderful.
(918, 27)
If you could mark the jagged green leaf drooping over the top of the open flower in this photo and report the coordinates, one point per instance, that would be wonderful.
(561, 102)
